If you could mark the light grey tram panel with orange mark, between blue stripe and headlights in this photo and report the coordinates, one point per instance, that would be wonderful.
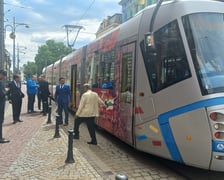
(193, 137)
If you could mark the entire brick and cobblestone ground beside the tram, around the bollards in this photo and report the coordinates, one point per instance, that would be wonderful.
(33, 154)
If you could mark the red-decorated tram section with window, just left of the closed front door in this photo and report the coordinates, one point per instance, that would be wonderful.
(100, 71)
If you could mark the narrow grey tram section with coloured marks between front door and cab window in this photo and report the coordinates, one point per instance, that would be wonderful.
(147, 132)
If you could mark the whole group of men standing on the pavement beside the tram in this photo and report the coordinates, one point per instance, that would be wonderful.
(87, 111)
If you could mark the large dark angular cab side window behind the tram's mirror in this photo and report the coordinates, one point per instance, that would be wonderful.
(169, 65)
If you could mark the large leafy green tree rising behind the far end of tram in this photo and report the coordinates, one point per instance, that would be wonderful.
(50, 53)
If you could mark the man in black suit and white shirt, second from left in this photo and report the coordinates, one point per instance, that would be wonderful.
(15, 96)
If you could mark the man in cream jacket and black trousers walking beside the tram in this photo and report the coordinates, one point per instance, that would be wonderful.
(87, 111)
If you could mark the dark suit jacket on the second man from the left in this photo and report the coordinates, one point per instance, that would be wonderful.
(15, 92)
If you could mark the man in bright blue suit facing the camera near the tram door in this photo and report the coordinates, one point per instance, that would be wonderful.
(63, 99)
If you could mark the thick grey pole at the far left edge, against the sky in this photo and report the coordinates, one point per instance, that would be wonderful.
(2, 48)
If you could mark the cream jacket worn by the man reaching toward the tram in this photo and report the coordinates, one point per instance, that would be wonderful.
(89, 105)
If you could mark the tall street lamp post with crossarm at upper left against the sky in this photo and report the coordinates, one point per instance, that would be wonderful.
(13, 37)
